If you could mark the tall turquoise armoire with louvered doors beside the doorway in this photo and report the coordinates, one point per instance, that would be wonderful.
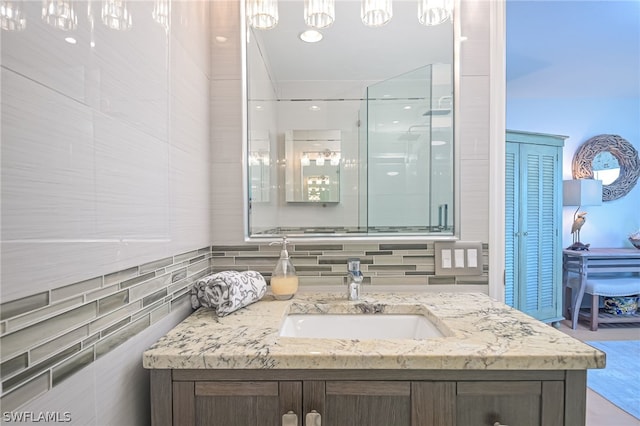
(532, 229)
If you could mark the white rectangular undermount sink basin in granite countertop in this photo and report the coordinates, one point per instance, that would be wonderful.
(359, 326)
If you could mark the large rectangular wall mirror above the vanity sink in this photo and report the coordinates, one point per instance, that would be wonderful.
(359, 124)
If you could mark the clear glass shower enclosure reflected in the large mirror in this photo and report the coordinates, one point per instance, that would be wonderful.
(406, 142)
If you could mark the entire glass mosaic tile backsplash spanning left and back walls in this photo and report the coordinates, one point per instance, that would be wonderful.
(47, 337)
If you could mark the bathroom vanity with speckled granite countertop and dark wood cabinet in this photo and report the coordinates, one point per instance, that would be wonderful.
(484, 363)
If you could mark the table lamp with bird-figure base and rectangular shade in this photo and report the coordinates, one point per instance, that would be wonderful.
(580, 192)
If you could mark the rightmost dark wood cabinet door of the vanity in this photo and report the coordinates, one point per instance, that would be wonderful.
(530, 403)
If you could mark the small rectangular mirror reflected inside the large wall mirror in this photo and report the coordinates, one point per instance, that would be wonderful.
(313, 166)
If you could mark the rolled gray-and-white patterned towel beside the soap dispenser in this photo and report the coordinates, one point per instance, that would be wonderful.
(228, 291)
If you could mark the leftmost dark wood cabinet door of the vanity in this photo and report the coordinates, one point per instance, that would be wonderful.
(235, 403)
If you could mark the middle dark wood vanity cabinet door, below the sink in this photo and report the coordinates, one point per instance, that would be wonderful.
(360, 403)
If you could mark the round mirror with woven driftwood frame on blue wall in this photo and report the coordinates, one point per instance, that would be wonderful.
(624, 164)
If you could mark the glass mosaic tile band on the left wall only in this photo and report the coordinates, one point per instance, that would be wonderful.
(49, 336)
